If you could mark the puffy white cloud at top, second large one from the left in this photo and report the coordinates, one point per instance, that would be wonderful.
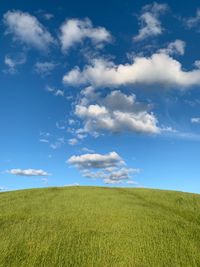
(74, 31)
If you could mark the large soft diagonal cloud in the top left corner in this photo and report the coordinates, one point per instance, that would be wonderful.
(27, 29)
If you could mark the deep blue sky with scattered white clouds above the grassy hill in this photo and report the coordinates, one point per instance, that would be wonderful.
(97, 93)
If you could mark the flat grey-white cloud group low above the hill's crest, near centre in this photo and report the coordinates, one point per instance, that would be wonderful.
(109, 167)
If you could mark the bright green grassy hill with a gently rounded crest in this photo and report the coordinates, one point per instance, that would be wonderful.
(90, 226)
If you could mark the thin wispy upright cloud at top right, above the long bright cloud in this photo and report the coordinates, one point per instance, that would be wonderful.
(149, 21)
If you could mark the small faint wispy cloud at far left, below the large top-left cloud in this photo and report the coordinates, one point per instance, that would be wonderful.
(13, 62)
